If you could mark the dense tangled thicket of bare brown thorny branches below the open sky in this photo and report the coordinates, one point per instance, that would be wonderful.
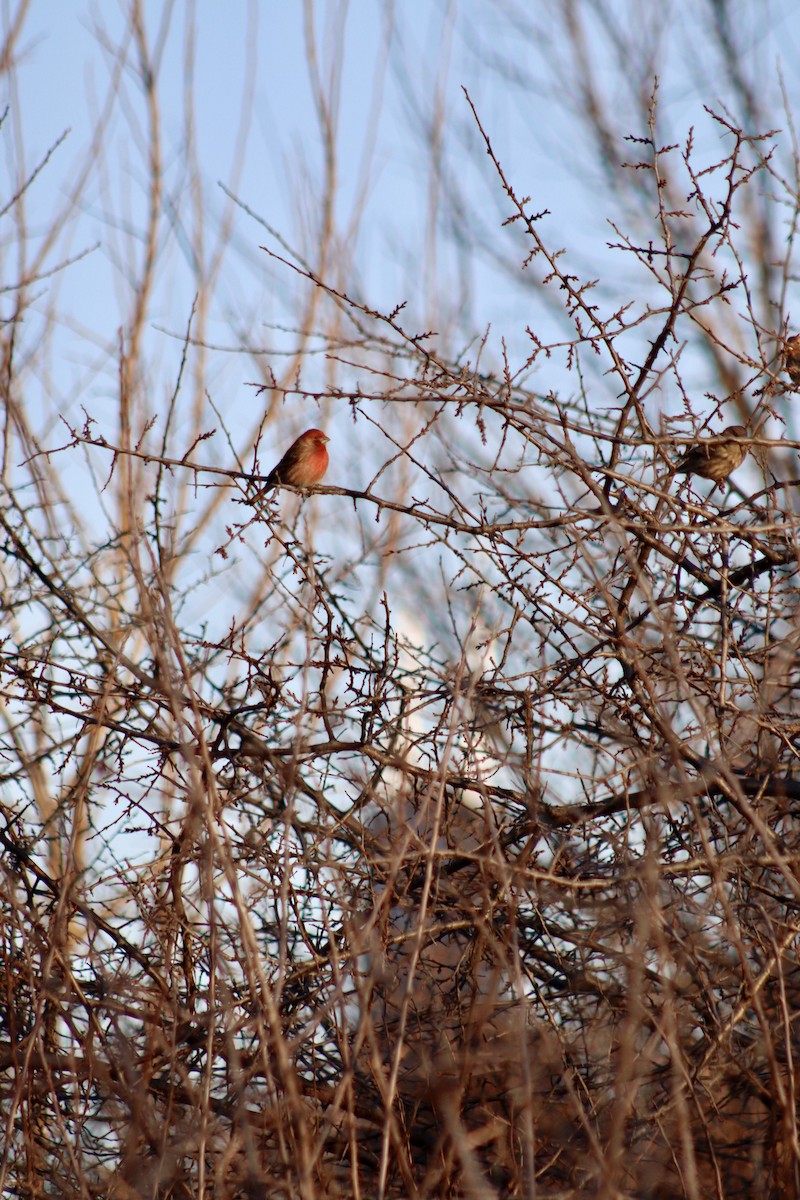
(434, 837)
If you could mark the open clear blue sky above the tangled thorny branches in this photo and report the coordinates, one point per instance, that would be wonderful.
(252, 112)
